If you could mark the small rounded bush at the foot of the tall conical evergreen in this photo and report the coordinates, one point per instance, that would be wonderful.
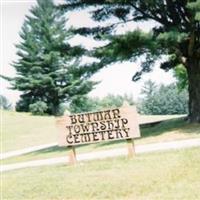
(38, 108)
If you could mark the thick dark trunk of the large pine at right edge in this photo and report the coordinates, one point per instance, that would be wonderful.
(193, 70)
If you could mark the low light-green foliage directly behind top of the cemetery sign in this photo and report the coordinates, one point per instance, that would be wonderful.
(86, 104)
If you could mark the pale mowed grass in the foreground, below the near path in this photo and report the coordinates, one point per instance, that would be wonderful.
(154, 176)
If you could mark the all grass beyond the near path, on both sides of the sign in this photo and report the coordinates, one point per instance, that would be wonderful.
(26, 134)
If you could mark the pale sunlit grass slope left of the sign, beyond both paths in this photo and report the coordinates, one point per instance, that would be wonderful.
(22, 130)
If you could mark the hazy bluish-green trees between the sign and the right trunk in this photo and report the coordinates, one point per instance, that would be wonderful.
(163, 100)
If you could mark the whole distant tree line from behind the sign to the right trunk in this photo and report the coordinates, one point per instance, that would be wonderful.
(155, 100)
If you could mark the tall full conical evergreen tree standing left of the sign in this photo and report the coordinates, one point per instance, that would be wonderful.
(47, 69)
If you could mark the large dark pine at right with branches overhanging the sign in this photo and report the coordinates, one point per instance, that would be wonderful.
(176, 36)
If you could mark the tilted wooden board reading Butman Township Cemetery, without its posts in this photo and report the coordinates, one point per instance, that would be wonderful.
(84, 128)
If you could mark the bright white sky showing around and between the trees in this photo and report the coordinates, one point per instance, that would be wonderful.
(116, 79)
